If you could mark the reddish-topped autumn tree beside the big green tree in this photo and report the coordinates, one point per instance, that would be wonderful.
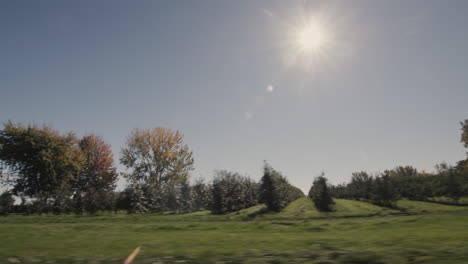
(98, 177)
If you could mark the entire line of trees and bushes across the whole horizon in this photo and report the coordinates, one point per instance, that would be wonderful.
(51, 172)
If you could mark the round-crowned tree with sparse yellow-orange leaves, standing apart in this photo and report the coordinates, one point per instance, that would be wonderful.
(157, 159)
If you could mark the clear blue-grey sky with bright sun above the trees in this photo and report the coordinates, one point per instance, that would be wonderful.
(386, 84)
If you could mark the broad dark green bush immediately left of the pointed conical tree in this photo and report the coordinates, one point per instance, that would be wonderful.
(232, 192)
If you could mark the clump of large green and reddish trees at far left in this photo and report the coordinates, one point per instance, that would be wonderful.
(53, 172)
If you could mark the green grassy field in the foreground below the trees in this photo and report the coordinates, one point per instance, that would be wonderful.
(356, 233)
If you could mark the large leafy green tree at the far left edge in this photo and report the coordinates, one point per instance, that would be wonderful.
(40, 163)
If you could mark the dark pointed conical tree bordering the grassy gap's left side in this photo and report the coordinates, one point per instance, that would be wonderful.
(275, 190)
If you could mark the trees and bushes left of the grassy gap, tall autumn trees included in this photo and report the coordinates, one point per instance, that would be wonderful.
(51, 172)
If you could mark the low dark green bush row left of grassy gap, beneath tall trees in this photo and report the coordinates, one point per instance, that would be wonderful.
(228, 192)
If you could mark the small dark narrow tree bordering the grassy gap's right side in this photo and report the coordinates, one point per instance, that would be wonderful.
(320, 194)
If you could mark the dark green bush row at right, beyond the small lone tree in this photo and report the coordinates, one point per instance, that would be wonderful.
(406, 182)
